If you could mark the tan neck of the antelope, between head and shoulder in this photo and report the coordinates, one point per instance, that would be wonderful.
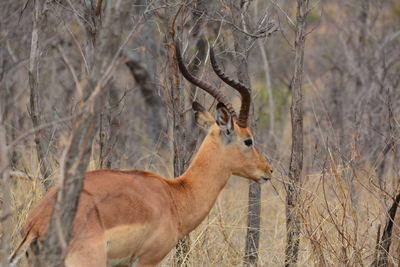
(197, 189)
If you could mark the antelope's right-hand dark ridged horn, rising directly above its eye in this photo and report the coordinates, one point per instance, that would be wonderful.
(238, 86)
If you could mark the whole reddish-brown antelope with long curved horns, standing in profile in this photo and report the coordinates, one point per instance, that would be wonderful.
(140, 216)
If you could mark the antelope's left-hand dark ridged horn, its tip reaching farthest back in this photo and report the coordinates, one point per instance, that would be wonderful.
(203, 85)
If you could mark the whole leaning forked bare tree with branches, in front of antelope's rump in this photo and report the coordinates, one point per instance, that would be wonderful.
(77, 154)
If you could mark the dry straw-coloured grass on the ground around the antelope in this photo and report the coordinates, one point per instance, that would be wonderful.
(336, 229)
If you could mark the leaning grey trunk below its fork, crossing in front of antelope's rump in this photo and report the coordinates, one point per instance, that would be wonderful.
(76, 159)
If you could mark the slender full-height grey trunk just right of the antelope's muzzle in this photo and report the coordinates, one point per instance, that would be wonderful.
(296, 158)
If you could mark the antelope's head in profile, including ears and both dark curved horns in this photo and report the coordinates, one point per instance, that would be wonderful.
(231, 134)
